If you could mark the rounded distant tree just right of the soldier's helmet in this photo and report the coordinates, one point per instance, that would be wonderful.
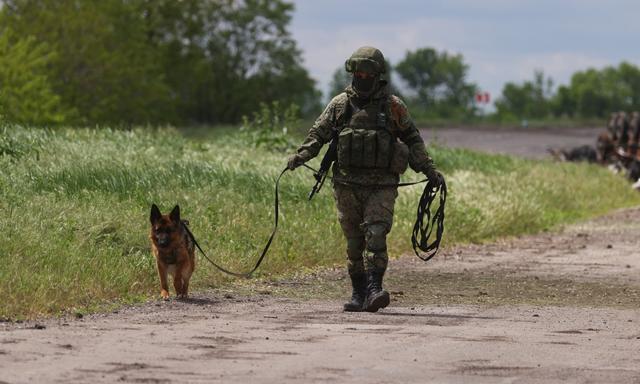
(438, 80)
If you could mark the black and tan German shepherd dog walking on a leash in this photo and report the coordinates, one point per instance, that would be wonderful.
(174, 250)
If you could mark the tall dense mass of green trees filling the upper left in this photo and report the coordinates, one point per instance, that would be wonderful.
(147, 61)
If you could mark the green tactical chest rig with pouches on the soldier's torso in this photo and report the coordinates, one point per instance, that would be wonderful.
(367, 142)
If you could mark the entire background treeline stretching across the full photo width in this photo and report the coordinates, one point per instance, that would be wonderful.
(80, 62)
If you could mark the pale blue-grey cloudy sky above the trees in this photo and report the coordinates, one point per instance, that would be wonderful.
(500, 40)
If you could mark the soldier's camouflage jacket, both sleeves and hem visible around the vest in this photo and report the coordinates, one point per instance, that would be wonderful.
(402, 127)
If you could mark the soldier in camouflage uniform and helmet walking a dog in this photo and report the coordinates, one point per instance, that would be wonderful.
(367, 121)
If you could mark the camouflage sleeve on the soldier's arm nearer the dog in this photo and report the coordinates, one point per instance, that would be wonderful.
(321, 131)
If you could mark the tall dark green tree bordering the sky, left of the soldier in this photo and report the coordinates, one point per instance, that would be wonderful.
(224, 58)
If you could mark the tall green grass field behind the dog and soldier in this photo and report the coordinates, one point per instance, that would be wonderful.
(74, 207)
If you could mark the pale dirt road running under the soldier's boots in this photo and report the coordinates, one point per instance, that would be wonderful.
(550, 308)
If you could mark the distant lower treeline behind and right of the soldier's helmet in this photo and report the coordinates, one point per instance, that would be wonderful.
(436, 85)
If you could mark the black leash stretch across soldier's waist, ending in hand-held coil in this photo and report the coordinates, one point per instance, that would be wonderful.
(422, 228)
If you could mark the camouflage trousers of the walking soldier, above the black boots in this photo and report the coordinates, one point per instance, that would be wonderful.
(366, 216)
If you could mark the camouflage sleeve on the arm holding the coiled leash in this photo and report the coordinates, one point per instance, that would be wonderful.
(406, 131)
